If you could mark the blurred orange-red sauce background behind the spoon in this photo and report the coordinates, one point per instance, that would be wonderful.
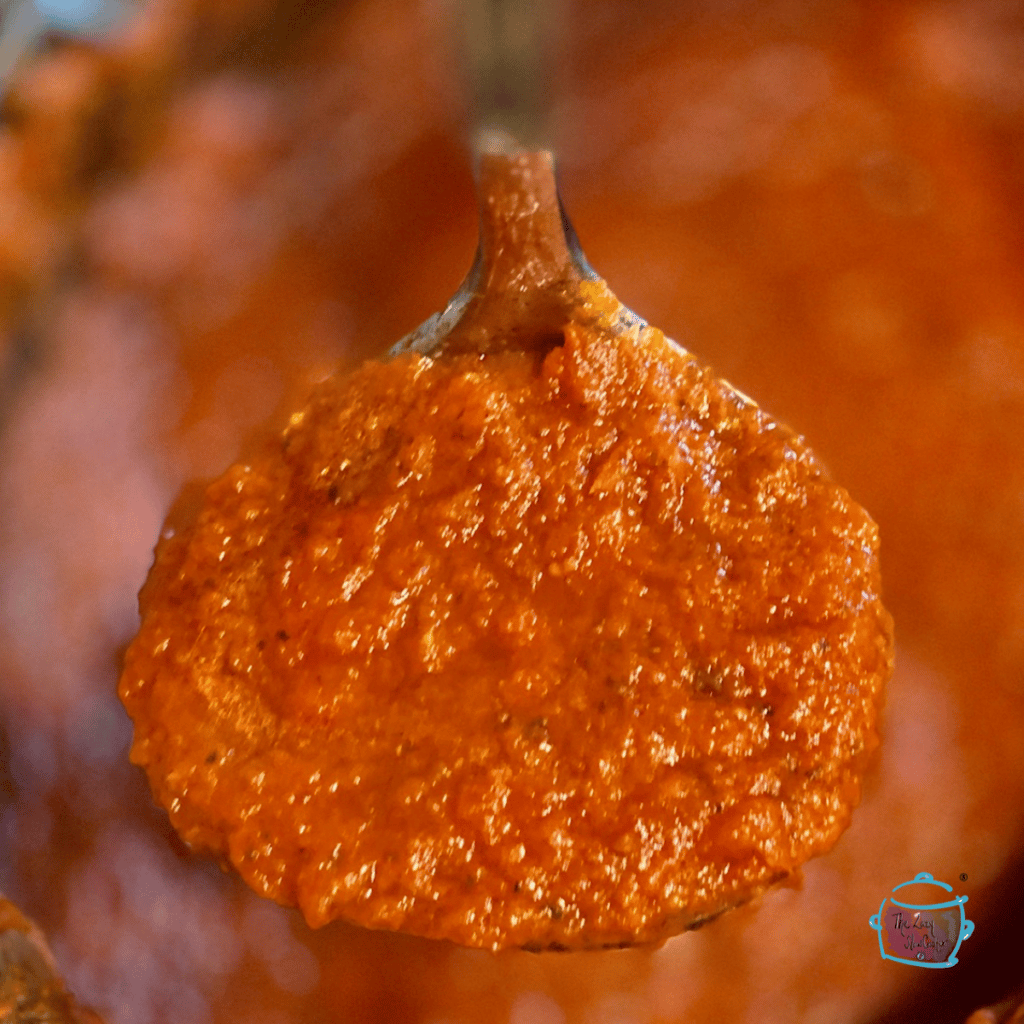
(205, 207)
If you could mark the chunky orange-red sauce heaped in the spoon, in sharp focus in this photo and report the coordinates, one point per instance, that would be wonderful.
(552, 641)
